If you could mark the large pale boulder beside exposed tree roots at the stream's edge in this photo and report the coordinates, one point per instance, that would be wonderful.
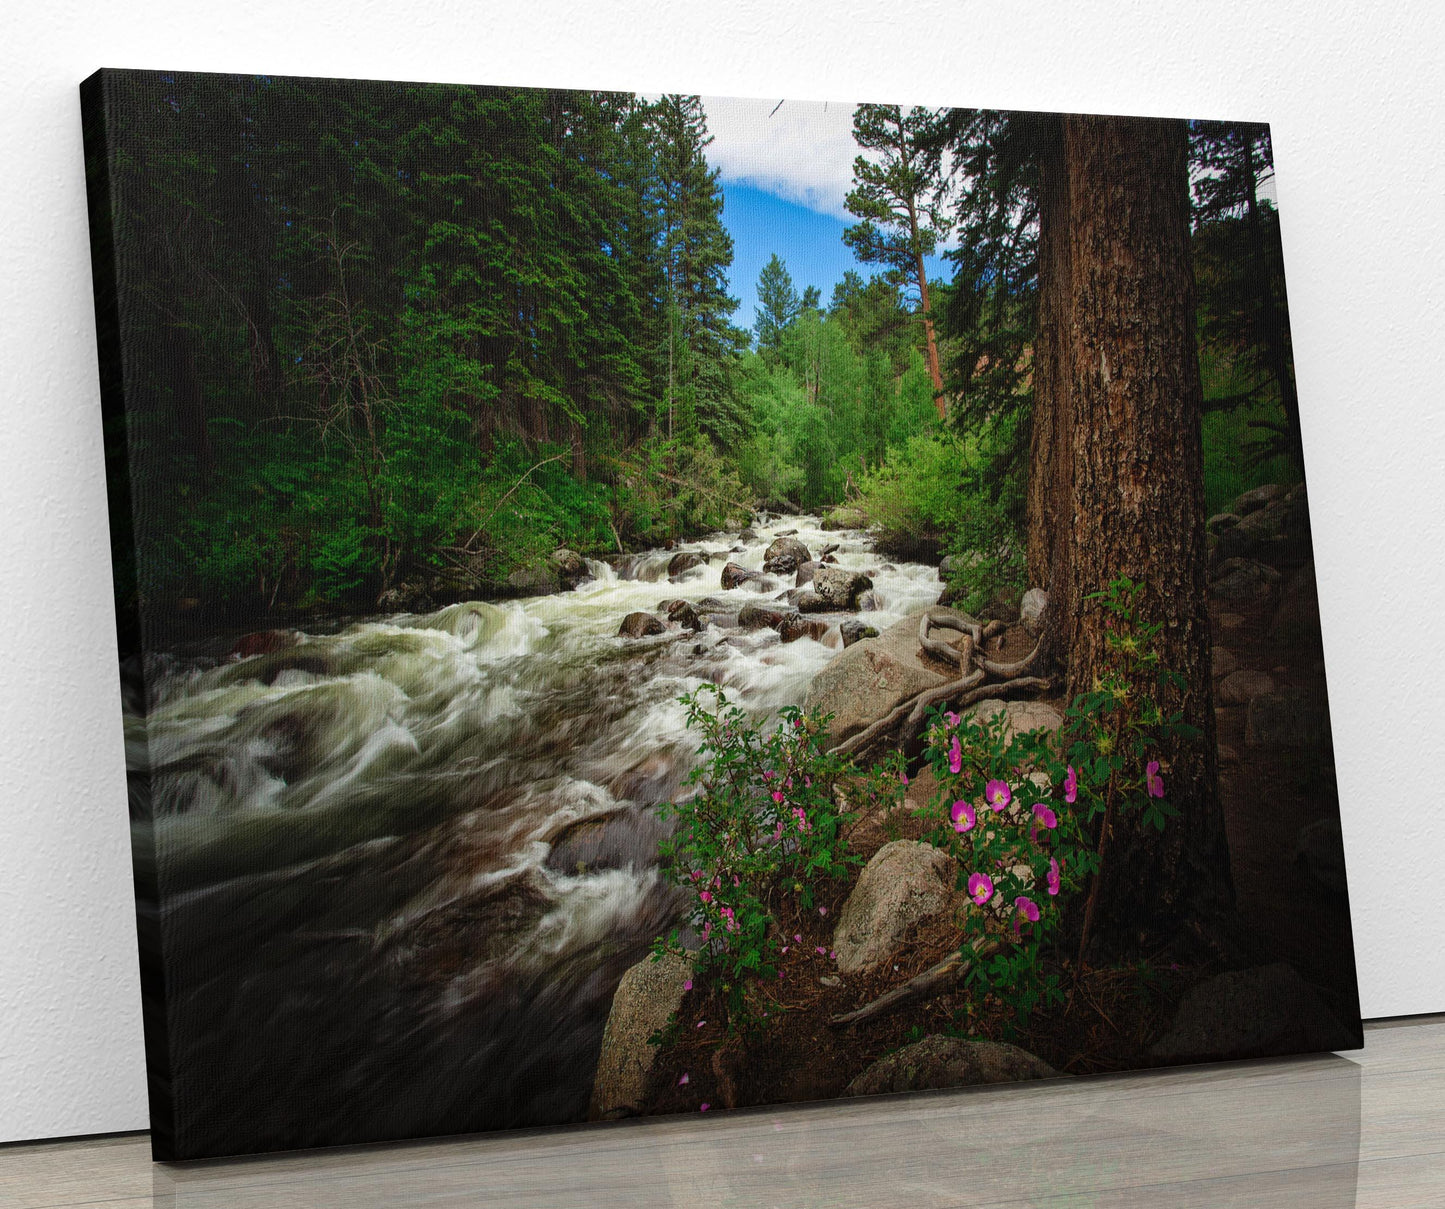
(866, 681)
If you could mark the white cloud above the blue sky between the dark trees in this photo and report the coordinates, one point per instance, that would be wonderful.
(801, 151)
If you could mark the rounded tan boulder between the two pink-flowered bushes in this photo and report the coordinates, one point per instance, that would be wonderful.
(904, 882)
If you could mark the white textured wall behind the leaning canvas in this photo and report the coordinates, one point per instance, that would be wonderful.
(1352, 93)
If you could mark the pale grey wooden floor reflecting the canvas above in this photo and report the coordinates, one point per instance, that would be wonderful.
(1366, 1130)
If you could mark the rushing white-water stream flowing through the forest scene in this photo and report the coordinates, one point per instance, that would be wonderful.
(405, 864)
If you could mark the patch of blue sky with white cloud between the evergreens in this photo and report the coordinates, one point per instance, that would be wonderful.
(785, 171)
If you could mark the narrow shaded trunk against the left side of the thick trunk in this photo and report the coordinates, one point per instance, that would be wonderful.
(1051, 469)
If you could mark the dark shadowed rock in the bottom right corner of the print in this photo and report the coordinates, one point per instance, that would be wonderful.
(1254, 1013)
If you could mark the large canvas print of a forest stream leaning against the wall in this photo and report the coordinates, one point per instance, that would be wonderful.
(650, 604)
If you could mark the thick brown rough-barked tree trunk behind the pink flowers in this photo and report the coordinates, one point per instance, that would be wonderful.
(1139, 499)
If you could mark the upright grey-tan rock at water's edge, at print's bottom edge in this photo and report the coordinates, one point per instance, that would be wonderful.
(647, 997)
